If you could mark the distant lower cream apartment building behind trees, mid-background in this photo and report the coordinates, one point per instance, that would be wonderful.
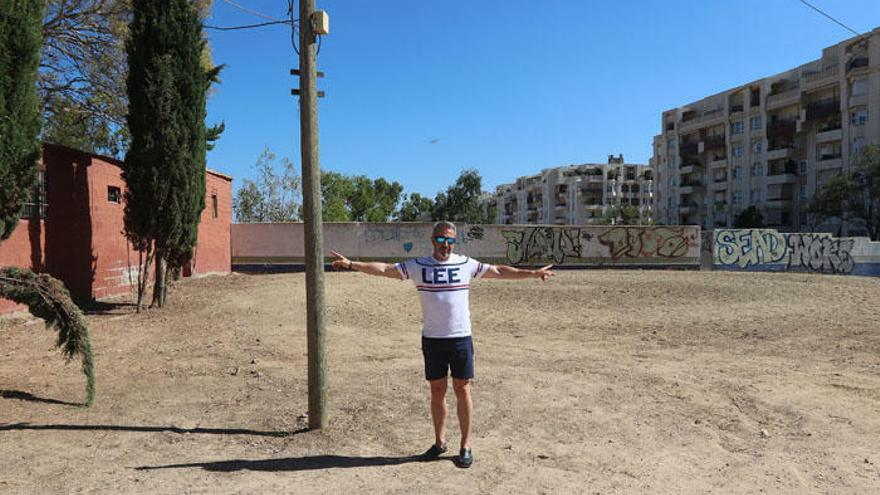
(575, 194)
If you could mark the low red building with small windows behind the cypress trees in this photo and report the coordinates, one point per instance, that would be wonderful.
(74, 228)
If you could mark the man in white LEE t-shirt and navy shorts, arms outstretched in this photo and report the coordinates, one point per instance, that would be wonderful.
(443, 281)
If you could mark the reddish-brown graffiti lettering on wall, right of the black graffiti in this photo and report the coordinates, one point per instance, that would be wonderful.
(646, 242)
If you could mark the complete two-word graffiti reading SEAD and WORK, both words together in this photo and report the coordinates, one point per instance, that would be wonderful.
(744, 248)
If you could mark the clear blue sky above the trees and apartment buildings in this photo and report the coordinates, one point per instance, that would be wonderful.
(506, 87)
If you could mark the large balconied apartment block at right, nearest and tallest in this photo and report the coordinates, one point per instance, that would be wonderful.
(770, 143)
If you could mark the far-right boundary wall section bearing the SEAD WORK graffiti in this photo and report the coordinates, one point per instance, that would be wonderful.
(770, 250)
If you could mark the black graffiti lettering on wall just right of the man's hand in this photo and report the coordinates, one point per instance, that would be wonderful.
(542, 244)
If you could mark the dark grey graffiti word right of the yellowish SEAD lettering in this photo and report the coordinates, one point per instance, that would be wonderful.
(822, 254)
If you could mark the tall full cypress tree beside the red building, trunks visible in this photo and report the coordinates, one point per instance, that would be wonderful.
(165, 165)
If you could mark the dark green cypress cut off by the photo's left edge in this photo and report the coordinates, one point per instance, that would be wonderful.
(20, 120)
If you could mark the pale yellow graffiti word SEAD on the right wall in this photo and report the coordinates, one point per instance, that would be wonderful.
(749, 247)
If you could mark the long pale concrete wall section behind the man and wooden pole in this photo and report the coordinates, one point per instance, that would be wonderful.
(279, 245)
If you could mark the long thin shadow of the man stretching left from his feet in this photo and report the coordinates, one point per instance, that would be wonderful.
(294, 463)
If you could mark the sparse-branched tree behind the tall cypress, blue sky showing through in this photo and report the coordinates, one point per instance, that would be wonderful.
(83, 69)
